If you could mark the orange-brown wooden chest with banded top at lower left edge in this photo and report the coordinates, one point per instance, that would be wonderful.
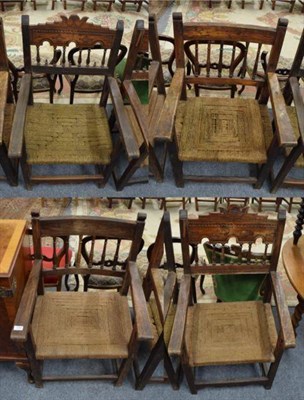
(14, 268)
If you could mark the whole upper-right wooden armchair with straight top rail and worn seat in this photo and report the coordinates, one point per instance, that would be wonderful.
(173, 123)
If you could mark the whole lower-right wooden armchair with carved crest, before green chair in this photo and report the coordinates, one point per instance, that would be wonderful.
(232, 333)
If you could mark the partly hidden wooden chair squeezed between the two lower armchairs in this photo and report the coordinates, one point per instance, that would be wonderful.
(160, 293)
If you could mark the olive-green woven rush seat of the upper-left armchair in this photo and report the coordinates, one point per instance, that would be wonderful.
(67, 134)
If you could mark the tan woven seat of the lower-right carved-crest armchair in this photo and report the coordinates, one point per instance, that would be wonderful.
(224, 333)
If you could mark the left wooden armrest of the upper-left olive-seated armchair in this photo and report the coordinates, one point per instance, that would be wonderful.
(16, 141)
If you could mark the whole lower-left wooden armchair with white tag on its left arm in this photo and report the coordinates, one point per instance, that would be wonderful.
(79, 325)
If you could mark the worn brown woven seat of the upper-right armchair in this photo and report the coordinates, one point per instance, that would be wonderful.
(223, 130)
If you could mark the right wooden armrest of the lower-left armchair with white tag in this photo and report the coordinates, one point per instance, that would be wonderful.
(144, 328)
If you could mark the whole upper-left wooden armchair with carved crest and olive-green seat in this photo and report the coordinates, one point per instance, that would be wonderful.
(47, 137)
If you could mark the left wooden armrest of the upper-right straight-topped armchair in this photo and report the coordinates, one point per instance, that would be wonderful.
(166, 122)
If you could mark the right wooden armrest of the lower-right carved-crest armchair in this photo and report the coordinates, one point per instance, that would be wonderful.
(283, 312)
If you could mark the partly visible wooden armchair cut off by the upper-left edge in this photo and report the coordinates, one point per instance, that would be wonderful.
(7, 111)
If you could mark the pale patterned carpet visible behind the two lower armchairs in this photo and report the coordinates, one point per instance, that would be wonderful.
(21, 208)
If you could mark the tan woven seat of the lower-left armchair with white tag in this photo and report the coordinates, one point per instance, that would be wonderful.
(94, 323)
